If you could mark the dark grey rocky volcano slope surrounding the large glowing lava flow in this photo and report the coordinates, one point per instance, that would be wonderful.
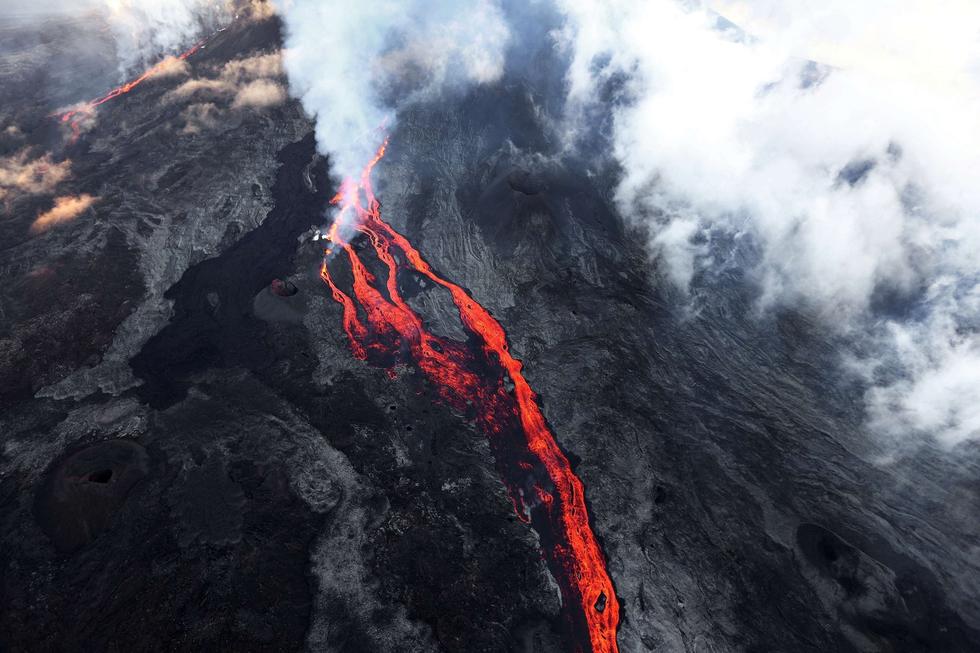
(193, 460)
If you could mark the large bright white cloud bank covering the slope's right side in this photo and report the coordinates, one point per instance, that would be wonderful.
(855, 174)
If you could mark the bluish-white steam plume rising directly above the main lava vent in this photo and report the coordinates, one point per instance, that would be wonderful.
(354, 64)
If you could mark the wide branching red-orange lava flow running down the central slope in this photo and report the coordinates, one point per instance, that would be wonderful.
(483, 380)
